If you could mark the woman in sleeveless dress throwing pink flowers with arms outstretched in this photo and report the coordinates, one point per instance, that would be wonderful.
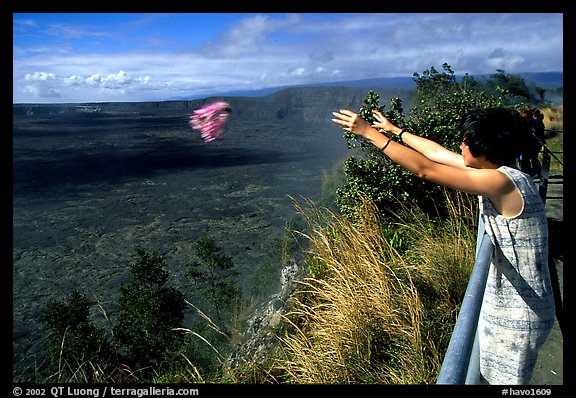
(518, 308)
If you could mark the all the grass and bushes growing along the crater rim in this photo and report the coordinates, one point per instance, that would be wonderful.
(386, 261)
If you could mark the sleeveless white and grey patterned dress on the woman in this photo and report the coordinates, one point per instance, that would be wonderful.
(518, 307)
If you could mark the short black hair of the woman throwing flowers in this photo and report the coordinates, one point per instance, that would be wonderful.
(496, 133)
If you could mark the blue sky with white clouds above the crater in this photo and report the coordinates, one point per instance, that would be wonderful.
(101, 57)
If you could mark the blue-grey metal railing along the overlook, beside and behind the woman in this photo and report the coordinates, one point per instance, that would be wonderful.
(461, 363)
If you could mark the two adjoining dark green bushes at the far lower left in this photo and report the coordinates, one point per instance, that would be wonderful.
(145, 338)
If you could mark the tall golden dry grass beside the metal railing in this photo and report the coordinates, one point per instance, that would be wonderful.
(382, 296)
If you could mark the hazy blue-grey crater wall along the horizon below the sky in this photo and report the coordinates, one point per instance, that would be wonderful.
(292, 105)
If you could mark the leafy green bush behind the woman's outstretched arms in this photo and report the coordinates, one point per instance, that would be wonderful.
(442, 103)
